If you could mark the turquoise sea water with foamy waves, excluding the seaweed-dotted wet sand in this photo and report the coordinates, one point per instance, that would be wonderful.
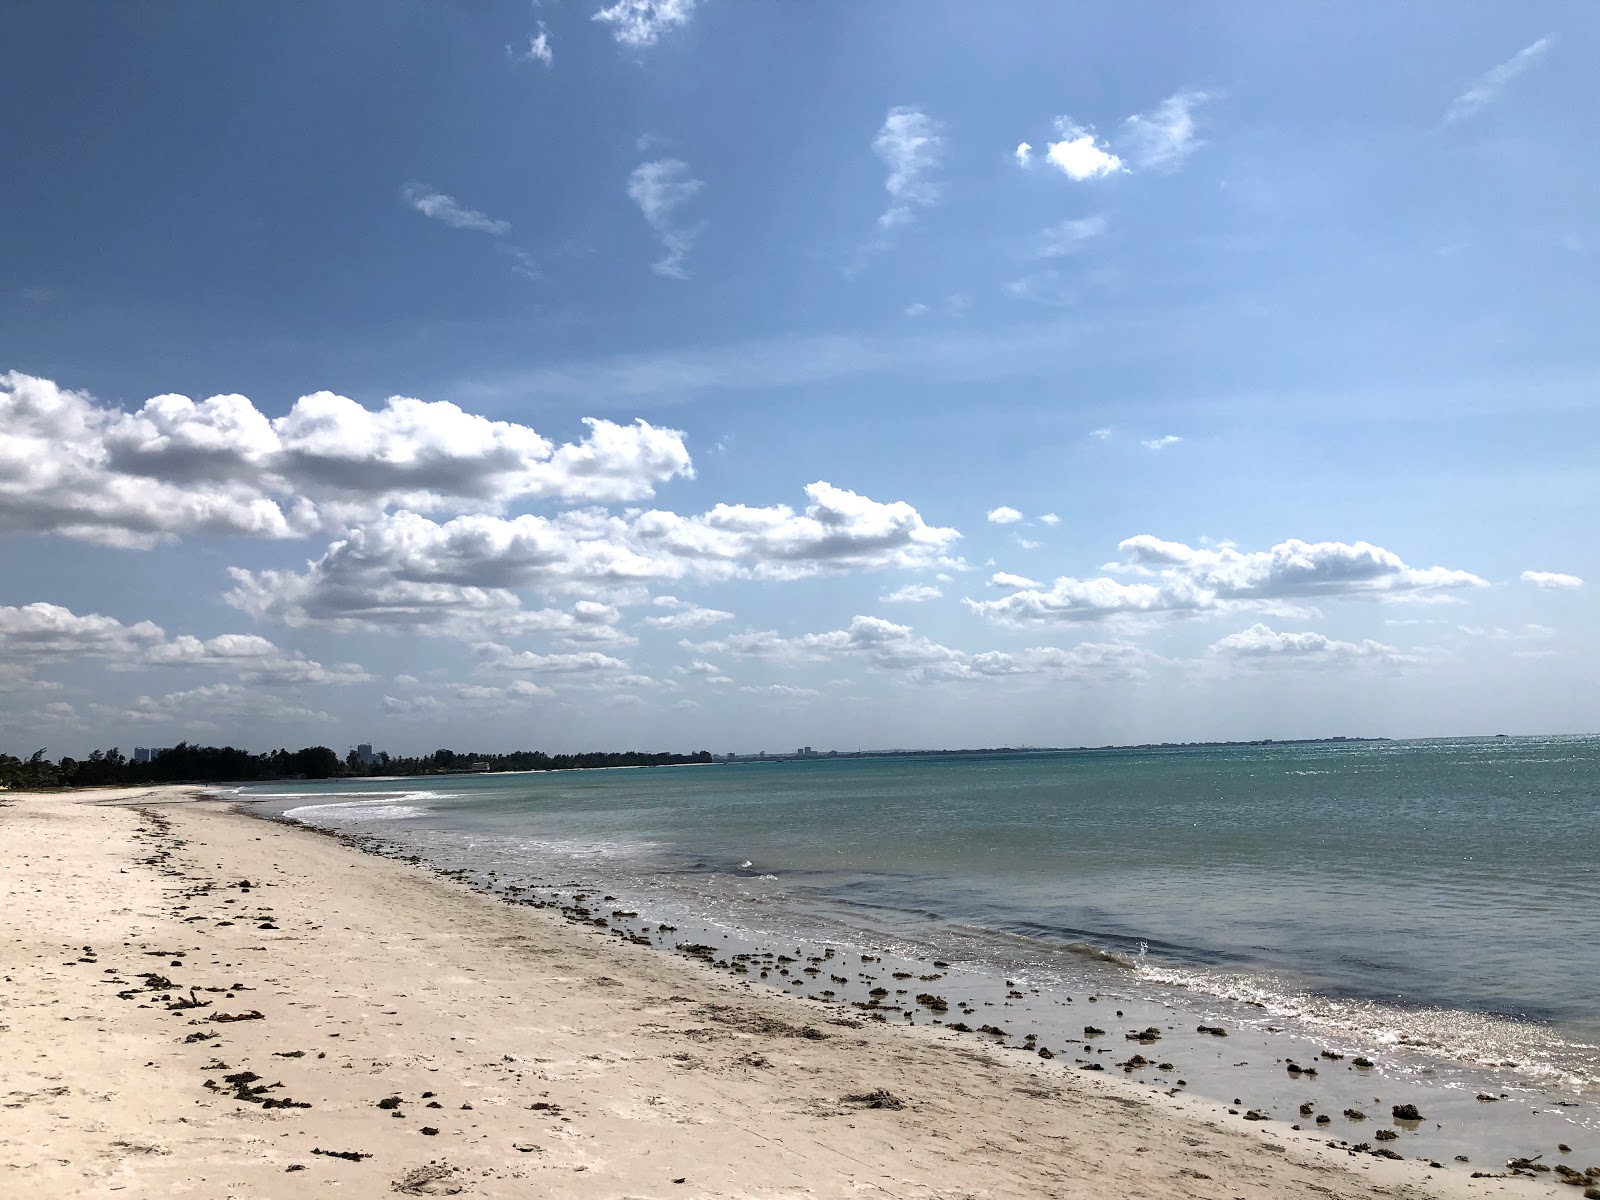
(1439, 895)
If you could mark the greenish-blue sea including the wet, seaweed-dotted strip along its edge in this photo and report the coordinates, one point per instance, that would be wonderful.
(1428, 908)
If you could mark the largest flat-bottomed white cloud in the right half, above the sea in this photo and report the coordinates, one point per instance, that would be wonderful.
(1222, 580)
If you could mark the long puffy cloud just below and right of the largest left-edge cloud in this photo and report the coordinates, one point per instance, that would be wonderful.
(406, 570)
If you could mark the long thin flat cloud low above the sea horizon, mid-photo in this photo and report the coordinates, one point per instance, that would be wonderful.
(892, 647)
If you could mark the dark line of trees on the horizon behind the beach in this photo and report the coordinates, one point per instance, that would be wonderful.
(188, 764)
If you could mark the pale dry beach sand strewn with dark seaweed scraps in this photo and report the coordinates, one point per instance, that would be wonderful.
(529, 1057)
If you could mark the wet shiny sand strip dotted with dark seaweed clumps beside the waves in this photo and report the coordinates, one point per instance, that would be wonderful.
(1303, 1074)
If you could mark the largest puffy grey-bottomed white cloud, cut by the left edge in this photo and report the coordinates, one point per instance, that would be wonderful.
(90, 471)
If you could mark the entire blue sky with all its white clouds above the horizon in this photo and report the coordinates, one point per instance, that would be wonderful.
(710, 375)
